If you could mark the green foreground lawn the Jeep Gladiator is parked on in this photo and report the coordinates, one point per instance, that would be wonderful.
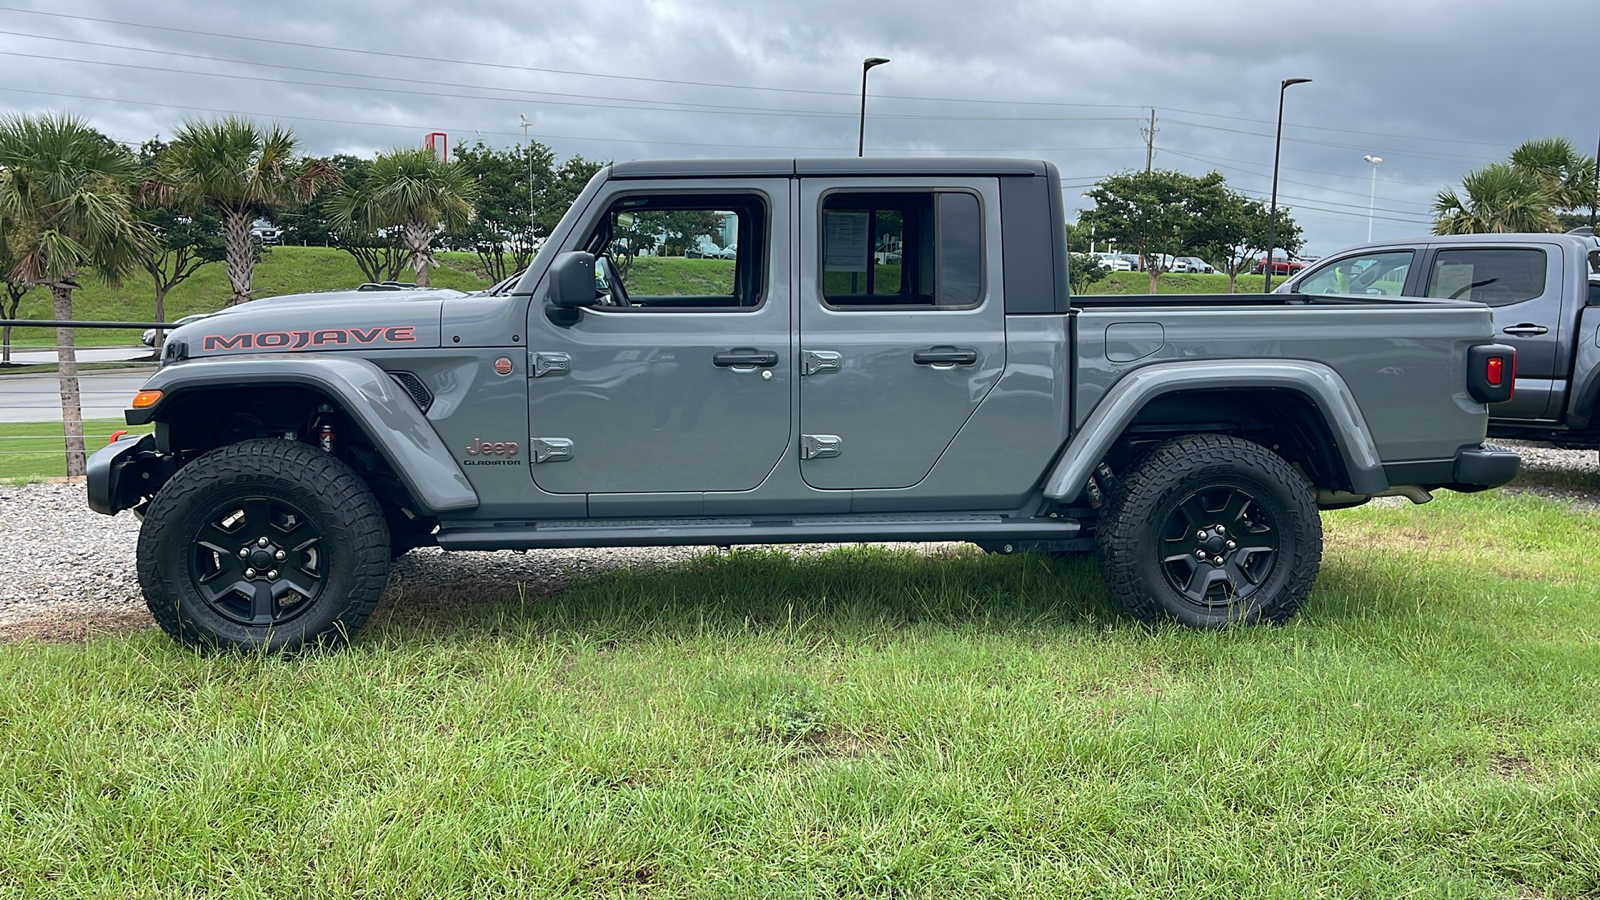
(858, 725)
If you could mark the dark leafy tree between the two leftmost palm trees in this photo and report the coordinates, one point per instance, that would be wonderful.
(178, 246)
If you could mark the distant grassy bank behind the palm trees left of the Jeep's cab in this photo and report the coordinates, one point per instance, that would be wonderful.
(284, 270)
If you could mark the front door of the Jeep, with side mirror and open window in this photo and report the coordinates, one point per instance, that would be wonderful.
(679, 380)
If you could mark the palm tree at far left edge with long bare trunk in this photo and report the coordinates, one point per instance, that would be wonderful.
(66, 209)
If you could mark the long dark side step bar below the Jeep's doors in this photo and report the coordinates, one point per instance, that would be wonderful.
(762, 531)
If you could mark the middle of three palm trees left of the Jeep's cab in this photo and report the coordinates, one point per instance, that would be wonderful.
(242, 172)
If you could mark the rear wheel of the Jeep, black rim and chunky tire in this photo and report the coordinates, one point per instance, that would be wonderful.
(1210, 531)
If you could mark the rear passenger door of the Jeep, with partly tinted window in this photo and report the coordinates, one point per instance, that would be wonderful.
(902, 324)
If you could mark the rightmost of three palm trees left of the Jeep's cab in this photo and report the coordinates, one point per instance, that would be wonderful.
(414, 191)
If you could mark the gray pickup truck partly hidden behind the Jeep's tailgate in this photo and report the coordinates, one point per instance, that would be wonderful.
(1545, 294)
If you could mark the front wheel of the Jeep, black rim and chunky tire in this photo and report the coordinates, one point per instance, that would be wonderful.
(263, 545)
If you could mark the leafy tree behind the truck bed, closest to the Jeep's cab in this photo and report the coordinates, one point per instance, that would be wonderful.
(1154, 212)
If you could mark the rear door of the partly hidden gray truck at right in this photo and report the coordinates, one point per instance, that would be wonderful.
(1524, 289)
